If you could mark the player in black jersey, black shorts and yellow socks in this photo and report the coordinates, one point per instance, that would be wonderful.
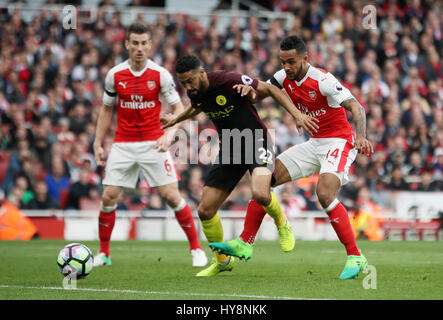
(245, 145)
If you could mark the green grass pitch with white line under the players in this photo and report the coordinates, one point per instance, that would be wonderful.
(163, 271)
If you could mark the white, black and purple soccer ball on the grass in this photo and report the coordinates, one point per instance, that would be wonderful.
(75, 260)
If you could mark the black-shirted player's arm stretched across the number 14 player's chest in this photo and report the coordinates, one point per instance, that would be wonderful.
(302, 120)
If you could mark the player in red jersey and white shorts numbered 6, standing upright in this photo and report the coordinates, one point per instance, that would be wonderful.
(135, 88)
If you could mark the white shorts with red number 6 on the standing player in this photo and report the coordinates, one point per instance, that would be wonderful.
(127, 160)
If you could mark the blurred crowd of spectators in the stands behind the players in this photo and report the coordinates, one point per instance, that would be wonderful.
(51, 88)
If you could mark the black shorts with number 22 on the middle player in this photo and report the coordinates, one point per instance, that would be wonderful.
(230, 167)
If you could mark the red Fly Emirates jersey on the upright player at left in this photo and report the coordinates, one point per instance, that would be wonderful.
(137, 96)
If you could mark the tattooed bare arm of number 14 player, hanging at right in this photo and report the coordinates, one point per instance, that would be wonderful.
(362, 144)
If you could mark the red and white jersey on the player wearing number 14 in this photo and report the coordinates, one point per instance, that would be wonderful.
(319, 94)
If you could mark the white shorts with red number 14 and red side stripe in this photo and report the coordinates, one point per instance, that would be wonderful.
(320, 155)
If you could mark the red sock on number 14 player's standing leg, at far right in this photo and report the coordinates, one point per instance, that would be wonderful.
(338, 216)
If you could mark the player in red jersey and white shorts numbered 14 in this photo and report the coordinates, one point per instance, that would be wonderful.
(329, 152)
